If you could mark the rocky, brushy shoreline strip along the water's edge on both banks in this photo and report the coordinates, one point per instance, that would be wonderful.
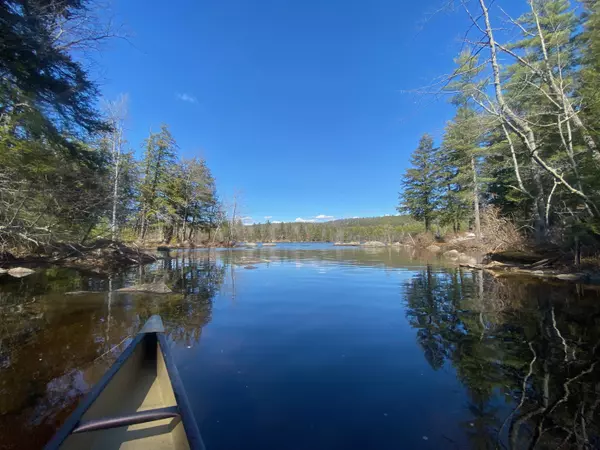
(108, 256)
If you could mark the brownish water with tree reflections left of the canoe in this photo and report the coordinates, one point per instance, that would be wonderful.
(53, 347)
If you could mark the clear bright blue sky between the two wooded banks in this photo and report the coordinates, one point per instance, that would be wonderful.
(297, 104)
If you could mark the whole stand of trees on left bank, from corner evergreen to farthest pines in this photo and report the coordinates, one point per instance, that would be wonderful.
(67, 172)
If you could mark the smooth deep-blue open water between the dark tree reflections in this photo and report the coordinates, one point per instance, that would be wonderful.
(318, 355)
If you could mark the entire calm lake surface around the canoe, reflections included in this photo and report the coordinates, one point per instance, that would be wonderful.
(313, 346)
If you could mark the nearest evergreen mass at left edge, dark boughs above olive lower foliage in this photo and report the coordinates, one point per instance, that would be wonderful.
(53, 176)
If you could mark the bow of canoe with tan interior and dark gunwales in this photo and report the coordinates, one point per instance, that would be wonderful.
(139, 403)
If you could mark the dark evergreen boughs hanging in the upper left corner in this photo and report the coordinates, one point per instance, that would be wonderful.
(44, 93)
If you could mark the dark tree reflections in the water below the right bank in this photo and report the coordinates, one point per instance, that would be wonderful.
(529, 348)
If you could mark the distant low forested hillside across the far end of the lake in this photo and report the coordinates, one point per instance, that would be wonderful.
(385, 229)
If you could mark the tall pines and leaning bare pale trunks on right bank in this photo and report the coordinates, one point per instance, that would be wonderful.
(525, 135)
